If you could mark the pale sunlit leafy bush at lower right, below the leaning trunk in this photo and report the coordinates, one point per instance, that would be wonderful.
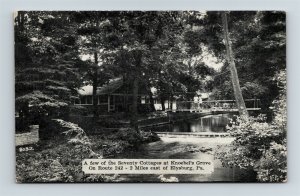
(260, 145)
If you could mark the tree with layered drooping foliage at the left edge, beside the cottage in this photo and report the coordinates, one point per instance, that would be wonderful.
(46, 65)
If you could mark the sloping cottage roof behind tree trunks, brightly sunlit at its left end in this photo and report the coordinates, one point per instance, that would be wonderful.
(109, 88)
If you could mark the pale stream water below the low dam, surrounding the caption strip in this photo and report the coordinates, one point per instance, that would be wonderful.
(201, 149)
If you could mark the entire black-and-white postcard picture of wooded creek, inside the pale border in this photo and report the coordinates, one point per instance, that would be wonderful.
(136, 96)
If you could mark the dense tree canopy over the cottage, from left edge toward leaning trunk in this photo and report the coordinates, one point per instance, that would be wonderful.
(154, 49)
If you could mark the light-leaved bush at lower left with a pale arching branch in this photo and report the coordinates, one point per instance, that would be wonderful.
(58, 161)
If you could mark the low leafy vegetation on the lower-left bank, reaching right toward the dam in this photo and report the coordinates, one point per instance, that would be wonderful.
(59, 160)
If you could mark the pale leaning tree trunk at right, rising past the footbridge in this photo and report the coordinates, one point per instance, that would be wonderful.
(234, 76)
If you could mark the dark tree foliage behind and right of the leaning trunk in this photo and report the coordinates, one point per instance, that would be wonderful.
(254, 33)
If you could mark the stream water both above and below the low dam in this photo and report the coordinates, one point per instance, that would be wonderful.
(186, 148)
